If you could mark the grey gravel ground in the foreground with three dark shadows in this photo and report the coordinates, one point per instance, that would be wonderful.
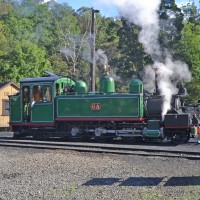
(58, 174)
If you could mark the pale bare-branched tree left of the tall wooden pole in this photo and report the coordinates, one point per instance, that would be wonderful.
(70, 37)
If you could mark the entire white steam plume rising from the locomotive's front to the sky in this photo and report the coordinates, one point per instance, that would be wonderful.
(145, 14)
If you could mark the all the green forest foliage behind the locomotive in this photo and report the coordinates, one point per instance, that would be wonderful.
(35, 37)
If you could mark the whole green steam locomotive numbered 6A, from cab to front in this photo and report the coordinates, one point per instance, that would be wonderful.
(57, 106)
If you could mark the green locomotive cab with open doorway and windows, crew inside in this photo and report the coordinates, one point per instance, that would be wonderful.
(34, 106)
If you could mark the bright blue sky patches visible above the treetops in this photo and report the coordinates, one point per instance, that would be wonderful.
(104, 10)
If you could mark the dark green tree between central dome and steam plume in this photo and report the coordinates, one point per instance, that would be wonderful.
(132, 56)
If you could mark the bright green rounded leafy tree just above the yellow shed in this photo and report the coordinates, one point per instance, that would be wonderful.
(25, 60)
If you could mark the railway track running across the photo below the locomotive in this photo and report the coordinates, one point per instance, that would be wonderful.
(180, 151)
